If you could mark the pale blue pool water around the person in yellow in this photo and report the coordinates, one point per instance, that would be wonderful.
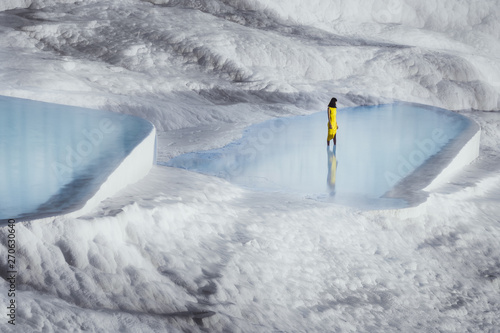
(377, 146)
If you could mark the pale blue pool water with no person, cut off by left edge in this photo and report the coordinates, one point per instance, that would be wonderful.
(54, 157)
